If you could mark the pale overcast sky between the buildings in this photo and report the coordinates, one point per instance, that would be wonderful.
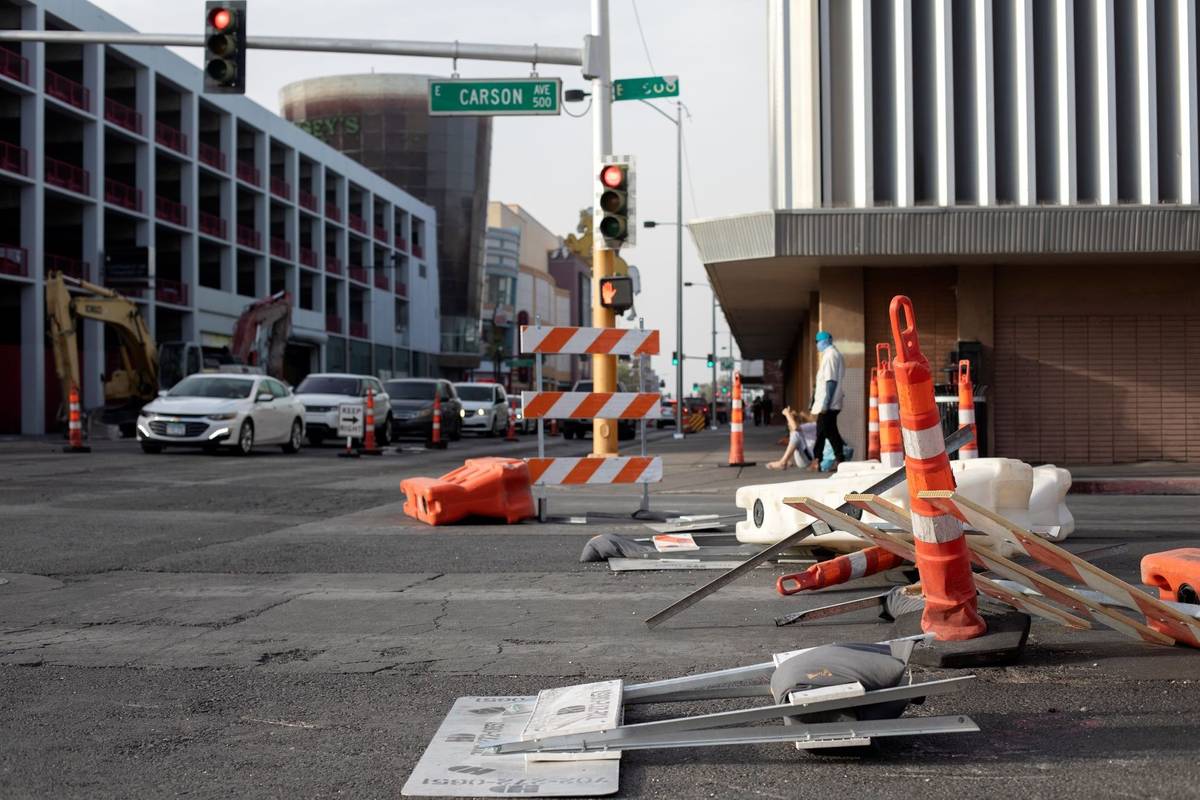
(717, 47)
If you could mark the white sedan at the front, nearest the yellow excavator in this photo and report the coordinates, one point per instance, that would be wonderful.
(221, 411)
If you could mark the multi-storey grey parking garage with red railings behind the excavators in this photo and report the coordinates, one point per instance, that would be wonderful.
(111, 147)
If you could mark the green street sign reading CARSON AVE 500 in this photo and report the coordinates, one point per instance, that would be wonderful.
(495, 97)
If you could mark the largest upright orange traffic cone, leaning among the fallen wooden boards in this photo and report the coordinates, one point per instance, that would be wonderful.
(951, 612)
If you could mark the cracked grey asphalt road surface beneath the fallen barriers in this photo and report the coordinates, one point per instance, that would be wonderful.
(275, 627)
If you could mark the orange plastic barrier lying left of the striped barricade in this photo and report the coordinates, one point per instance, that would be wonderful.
(482, 488)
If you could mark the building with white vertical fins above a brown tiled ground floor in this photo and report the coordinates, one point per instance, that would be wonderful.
(1028, 173)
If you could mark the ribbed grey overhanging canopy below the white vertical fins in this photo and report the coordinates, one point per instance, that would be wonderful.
(766, 266)
